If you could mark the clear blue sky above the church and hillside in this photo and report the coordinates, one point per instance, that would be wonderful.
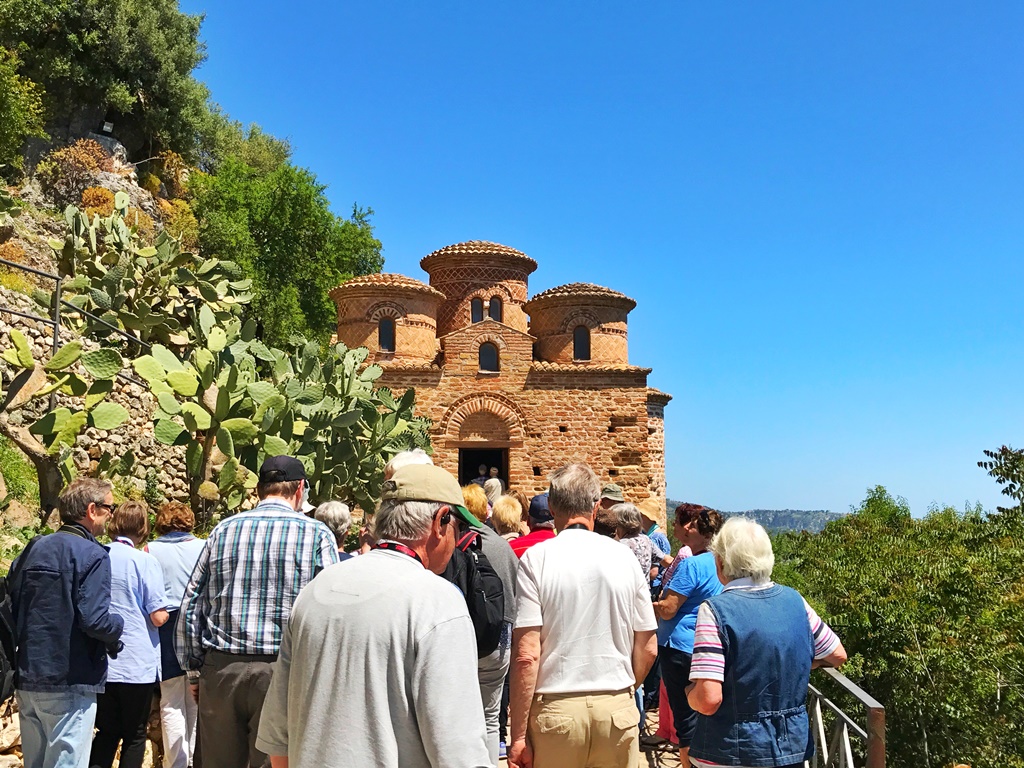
(819, 209)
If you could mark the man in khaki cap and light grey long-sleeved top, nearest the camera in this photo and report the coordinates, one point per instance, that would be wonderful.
(383, 647)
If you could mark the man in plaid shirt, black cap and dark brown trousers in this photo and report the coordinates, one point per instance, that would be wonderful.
(238, 603)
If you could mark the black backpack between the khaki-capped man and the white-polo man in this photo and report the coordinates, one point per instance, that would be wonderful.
(471, 571)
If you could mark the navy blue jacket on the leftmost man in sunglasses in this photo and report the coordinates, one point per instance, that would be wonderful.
(61, 590)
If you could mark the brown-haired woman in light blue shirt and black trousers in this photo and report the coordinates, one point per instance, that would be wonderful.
(137, 596)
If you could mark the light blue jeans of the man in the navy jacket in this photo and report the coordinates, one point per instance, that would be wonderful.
(57, 729)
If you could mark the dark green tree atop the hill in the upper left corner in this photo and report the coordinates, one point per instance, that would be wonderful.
(135, 58)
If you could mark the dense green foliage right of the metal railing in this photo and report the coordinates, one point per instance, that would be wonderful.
(931, 612)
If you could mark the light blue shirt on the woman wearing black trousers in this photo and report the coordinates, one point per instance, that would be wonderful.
(137, 591)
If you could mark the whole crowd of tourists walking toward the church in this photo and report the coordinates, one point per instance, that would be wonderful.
(470, 624)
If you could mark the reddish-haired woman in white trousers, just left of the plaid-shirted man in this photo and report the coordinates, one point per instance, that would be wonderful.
(178, 550)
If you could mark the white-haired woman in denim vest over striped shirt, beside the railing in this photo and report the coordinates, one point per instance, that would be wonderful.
(755, 648)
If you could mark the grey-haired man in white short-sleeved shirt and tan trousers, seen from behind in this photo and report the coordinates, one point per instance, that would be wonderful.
(584, 639)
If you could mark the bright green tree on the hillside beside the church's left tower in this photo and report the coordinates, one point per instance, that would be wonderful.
(280, 228)
